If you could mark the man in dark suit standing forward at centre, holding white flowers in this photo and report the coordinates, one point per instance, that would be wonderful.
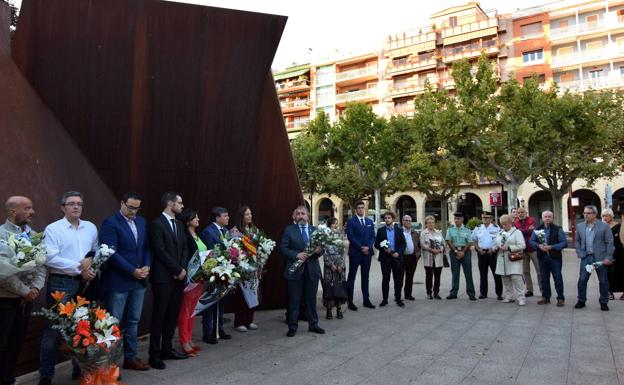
(304, 279)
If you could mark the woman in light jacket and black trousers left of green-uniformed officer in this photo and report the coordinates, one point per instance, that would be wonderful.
(432, 254)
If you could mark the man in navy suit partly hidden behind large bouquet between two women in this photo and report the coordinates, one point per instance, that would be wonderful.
(213, 235)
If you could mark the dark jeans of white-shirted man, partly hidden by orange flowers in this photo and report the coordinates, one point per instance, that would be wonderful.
(51, 338)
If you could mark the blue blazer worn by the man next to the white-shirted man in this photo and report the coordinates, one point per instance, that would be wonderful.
(130, 254)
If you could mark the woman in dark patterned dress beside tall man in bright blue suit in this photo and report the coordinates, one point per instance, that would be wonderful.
(334, 279)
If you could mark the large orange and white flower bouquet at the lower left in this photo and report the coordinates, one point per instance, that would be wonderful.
(92, 335)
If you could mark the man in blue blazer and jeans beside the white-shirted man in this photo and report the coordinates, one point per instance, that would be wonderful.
(125, 274)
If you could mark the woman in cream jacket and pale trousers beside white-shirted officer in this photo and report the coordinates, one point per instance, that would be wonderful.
(509, 244)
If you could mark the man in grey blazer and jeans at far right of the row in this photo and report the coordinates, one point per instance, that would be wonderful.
(594, 243)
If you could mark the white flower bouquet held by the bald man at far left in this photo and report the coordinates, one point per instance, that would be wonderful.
(21, 253)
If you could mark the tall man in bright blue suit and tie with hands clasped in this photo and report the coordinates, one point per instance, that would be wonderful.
(361, 235)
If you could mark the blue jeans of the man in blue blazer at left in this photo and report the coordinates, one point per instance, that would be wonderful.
(126, 307)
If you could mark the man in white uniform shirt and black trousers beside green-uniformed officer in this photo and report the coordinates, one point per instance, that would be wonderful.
(483, 240)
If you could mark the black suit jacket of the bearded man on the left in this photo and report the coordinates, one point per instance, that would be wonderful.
(169, 250)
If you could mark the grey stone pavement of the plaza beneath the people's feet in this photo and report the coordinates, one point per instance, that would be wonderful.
(427, 342)
